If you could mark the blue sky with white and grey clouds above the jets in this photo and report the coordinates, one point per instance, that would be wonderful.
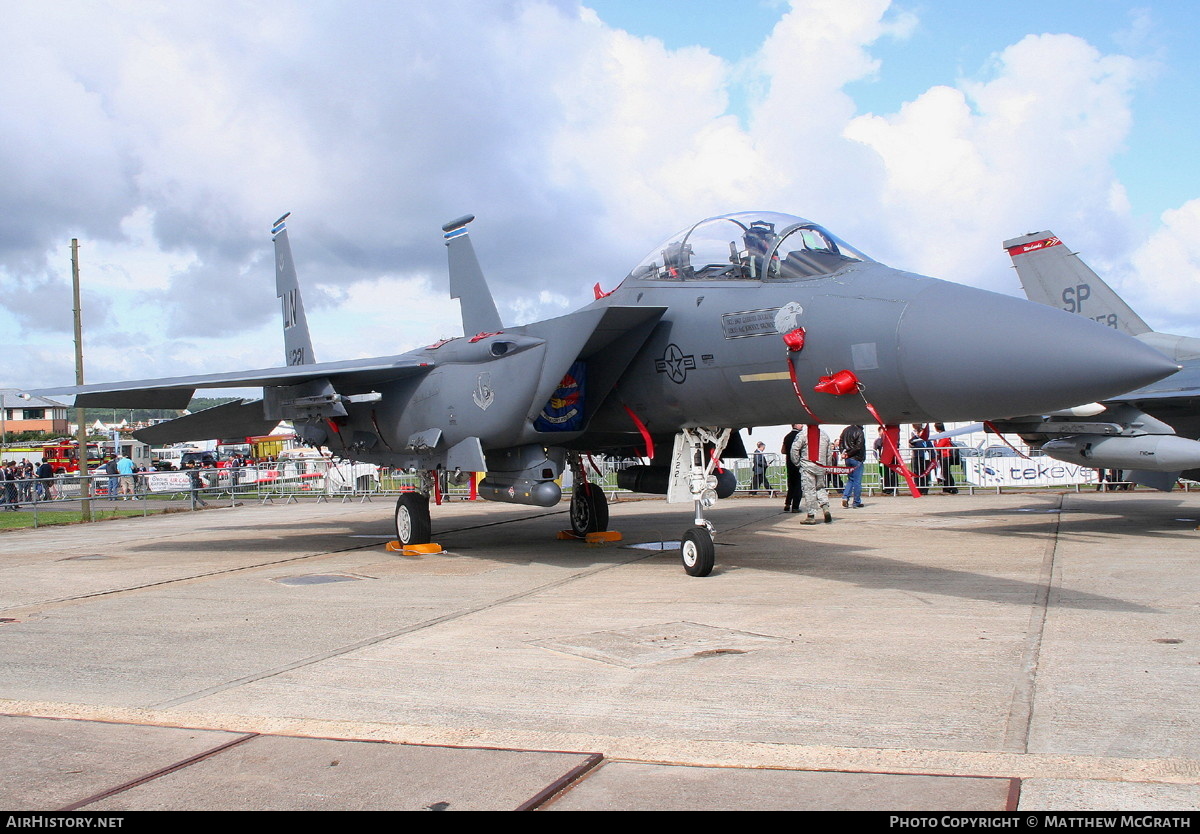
(167, 137)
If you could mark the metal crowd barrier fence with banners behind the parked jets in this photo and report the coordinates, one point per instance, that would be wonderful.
(323, 481)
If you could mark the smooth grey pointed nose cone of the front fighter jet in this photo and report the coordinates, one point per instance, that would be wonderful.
(969, 355)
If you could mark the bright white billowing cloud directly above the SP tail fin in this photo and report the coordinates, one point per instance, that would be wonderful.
(971, 165)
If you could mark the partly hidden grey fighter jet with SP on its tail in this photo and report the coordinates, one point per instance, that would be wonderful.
(1149, 433)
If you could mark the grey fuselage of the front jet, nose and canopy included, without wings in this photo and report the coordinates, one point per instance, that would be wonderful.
(922, 350)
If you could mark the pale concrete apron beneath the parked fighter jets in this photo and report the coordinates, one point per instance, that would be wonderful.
(956, 644)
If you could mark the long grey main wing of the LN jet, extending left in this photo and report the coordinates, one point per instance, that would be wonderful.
(176, 393)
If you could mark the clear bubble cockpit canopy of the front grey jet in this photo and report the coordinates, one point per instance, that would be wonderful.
(753, 247)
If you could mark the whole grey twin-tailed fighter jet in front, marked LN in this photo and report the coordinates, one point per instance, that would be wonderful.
(739, 321)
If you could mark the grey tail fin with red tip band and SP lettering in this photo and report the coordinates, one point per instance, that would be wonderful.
(1055, 277)
